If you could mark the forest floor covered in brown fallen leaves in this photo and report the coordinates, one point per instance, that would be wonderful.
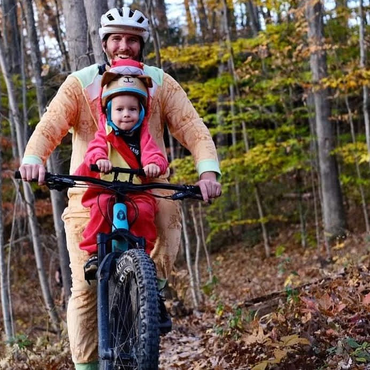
(294, 310)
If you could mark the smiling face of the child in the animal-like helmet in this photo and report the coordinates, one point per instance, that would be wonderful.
(125, 111)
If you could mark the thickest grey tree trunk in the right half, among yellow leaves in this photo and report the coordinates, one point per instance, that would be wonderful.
(333, 210)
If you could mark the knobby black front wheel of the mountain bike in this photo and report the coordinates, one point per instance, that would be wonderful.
(133, 313)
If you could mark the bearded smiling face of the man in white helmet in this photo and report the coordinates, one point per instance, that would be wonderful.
(122, 46)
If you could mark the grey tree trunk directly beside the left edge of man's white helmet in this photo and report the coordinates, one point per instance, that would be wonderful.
(94, 10)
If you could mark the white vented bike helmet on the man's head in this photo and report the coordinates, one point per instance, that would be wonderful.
(124, 20)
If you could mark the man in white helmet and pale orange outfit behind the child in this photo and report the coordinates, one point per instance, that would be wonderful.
(75, 109)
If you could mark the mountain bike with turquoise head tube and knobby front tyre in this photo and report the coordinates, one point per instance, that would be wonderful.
(127, 292)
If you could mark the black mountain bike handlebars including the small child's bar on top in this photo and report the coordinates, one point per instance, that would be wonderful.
(60, 182)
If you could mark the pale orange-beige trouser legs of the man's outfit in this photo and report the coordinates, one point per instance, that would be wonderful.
(81, 311)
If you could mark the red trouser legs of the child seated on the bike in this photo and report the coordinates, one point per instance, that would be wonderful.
(141, 211)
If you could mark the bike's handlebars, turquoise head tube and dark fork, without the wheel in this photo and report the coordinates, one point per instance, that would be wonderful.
(120, 239)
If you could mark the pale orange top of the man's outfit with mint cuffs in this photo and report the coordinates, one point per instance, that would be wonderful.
(75, 109)
